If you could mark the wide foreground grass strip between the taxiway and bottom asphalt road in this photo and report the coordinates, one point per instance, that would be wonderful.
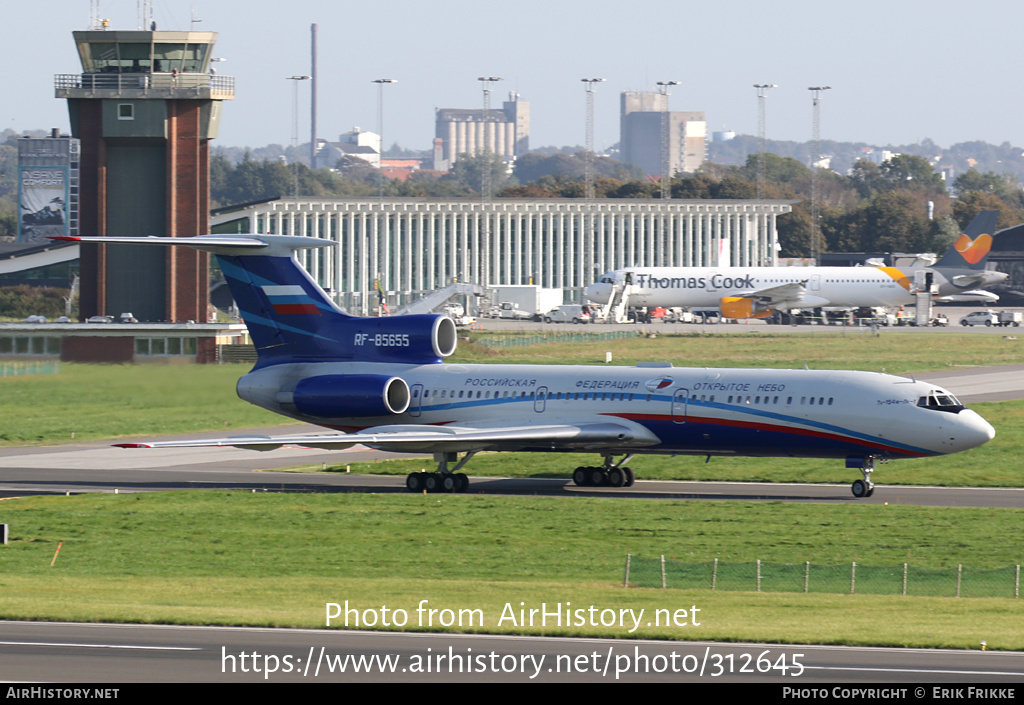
(274, 560)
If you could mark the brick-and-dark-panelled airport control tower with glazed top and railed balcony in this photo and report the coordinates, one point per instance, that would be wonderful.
(145, 108)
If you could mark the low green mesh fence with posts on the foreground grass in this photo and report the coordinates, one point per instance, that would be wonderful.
(851, 578)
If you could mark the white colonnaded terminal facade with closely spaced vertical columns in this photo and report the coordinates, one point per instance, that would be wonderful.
(413, 246)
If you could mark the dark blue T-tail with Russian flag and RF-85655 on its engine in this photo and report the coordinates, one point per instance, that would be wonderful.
(292, 319)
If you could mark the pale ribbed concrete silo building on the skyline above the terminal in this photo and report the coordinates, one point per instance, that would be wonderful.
(504, 133)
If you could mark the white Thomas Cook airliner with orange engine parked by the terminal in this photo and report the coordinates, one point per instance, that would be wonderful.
(743, 293)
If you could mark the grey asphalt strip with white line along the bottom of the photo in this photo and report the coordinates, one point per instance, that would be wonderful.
(125, 654)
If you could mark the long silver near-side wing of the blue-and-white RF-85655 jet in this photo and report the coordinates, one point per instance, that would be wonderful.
(413, 439)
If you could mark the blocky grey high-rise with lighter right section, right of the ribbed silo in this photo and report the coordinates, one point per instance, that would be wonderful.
(642, 134)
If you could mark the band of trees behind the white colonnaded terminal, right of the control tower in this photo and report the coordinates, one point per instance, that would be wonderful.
(902, 205)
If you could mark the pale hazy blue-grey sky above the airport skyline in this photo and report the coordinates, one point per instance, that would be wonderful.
(900, 71)
